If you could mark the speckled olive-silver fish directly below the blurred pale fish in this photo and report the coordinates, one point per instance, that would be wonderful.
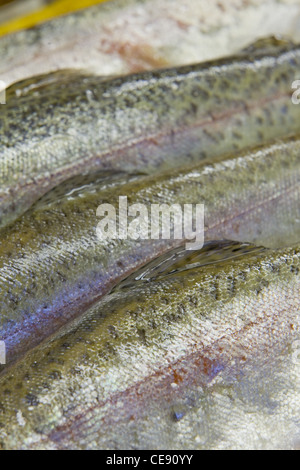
(51, 130)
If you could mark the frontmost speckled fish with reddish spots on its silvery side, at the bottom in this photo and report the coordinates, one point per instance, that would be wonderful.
(178, 363)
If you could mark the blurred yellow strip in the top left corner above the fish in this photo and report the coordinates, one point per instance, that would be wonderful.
(57, 8)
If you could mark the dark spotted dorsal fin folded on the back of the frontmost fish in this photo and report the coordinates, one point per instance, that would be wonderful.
(181, 260)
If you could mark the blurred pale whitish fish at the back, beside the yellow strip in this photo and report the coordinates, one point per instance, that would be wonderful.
(125, 36)
